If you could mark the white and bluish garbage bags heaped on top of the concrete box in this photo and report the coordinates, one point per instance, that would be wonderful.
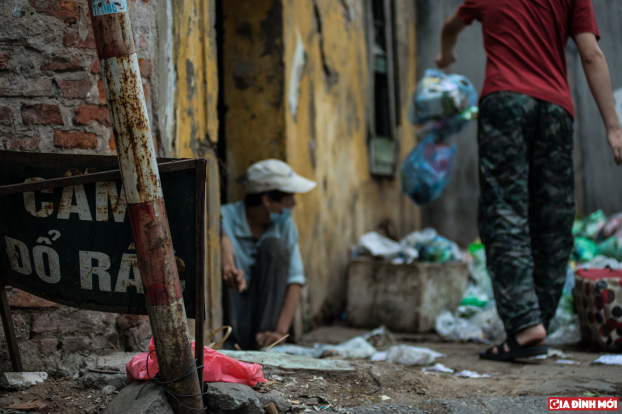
(425, 246)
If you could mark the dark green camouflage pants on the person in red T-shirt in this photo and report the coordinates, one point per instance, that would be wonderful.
(526, 204)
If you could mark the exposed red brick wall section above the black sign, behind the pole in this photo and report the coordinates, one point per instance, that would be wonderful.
(51, 94)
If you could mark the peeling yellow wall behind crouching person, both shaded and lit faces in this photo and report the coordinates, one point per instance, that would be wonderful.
(308, 104)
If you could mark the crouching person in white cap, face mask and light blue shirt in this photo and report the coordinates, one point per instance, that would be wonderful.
(261, 261)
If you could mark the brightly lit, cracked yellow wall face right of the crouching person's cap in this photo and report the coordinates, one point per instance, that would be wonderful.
(328, 140)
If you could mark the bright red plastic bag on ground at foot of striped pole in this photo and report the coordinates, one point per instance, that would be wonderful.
(218, 368)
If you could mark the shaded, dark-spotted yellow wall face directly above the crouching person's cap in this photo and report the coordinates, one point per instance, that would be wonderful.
(253, 83)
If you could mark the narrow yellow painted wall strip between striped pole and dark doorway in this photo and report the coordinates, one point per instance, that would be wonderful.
(196, 120)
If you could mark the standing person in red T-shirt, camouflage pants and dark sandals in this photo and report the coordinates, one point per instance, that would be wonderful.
(525, 152)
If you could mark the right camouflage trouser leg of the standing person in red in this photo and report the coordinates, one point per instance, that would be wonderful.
(552, 205)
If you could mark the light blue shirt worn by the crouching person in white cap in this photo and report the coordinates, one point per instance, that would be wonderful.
(235, 225)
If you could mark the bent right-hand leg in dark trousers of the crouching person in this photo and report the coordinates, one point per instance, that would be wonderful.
(270, 283)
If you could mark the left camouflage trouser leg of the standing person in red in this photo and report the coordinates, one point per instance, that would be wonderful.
(505, 120)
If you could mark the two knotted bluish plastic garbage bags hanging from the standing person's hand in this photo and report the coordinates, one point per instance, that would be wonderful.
(443, 105)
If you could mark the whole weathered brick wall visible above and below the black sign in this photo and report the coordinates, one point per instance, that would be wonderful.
(52, 100)
